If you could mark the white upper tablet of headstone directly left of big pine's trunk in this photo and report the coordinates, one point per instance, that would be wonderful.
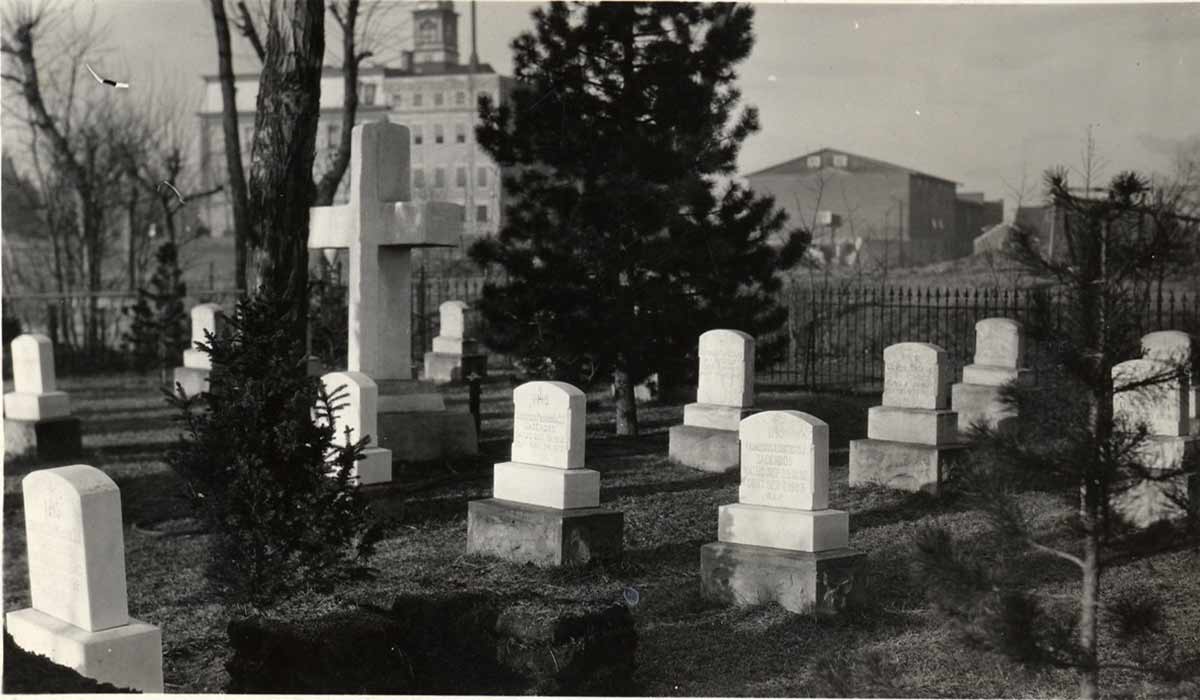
(549, 424)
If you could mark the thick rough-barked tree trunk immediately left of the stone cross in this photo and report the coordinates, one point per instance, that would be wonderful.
(281, 188)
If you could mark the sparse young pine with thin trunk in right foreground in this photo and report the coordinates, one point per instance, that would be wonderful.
(1070, 442)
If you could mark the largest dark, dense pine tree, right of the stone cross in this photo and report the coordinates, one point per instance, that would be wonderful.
(625, 237)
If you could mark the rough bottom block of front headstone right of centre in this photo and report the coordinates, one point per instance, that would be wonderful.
(742, 575)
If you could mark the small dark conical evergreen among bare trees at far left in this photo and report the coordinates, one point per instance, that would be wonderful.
(160, 328)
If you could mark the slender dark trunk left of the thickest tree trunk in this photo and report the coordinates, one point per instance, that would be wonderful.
(237, 177)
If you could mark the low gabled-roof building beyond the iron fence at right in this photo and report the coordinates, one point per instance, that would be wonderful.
(872, 212)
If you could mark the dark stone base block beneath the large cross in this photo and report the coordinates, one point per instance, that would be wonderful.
(422, 436)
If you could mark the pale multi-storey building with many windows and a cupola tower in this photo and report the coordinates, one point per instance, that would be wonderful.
(431, 93)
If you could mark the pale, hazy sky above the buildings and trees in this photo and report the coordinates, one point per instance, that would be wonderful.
(988, 97)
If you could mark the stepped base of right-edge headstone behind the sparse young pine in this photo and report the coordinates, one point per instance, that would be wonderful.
(1150, 502)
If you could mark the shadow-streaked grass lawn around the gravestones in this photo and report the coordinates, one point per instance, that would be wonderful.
(686, 645)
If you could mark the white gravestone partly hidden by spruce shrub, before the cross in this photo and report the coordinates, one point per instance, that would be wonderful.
(359, 405)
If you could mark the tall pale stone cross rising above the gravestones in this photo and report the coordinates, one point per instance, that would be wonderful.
(380, 228)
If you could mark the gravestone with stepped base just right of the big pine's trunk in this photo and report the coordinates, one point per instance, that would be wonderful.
(709, 438)
